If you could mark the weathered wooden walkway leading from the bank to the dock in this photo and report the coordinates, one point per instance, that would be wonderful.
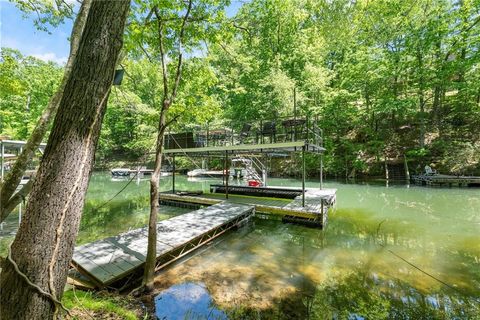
(109, 260)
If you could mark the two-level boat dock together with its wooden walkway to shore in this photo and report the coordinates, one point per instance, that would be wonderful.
(111, 262)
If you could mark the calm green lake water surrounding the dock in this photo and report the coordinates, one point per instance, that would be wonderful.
(365, 264)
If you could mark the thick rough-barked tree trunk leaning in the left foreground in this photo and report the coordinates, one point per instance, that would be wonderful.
(45, 240)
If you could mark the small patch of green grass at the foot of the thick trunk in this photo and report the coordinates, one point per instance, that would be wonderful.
(89, 302)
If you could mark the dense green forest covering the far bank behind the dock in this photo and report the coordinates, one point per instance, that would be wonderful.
(387, 79)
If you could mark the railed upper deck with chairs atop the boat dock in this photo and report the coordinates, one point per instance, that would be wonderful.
(282, 134)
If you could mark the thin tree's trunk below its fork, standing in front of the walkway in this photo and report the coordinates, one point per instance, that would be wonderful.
(149, 272)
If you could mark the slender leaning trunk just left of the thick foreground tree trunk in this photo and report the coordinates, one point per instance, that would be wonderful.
(13, 178)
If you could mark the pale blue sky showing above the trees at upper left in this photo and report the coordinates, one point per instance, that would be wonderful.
(18, 32)
